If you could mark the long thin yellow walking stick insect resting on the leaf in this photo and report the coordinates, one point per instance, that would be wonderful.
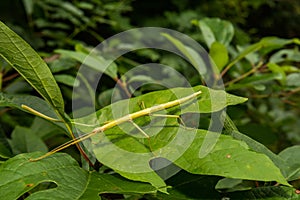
(126, 118)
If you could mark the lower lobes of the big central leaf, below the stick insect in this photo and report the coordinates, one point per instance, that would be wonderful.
(229, 158)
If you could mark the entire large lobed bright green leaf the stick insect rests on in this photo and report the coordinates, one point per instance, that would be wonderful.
(124, 149)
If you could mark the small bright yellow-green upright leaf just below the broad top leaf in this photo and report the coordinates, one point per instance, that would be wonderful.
(219, 54)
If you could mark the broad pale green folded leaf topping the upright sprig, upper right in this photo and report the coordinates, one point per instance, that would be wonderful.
(215, 29)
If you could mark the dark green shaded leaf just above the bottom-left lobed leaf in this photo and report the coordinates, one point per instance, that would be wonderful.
(23, 140)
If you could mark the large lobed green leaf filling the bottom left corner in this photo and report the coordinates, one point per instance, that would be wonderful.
(19, 175)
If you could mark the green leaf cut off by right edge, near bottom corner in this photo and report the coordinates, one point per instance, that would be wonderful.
(291, 156)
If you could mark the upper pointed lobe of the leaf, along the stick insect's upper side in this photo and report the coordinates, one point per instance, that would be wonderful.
(205, 104)
